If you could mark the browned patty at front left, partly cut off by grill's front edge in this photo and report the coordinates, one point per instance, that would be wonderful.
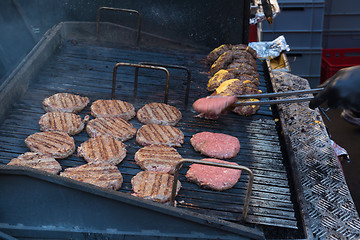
(38, 161)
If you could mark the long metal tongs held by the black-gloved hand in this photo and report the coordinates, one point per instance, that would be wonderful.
(273, 95)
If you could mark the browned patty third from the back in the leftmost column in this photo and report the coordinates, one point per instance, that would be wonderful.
(55, 143)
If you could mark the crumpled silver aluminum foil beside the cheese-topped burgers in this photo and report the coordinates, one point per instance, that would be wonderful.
(270, 49)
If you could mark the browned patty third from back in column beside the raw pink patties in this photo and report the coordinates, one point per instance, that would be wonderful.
(157, 158)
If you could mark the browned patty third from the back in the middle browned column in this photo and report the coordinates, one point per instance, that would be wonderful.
(103, 149)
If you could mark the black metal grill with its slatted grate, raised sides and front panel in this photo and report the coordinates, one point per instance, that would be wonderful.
(78, 61)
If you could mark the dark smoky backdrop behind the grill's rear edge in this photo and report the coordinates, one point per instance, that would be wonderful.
(206, 22)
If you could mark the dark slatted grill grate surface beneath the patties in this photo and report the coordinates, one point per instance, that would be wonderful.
(85, 68)
